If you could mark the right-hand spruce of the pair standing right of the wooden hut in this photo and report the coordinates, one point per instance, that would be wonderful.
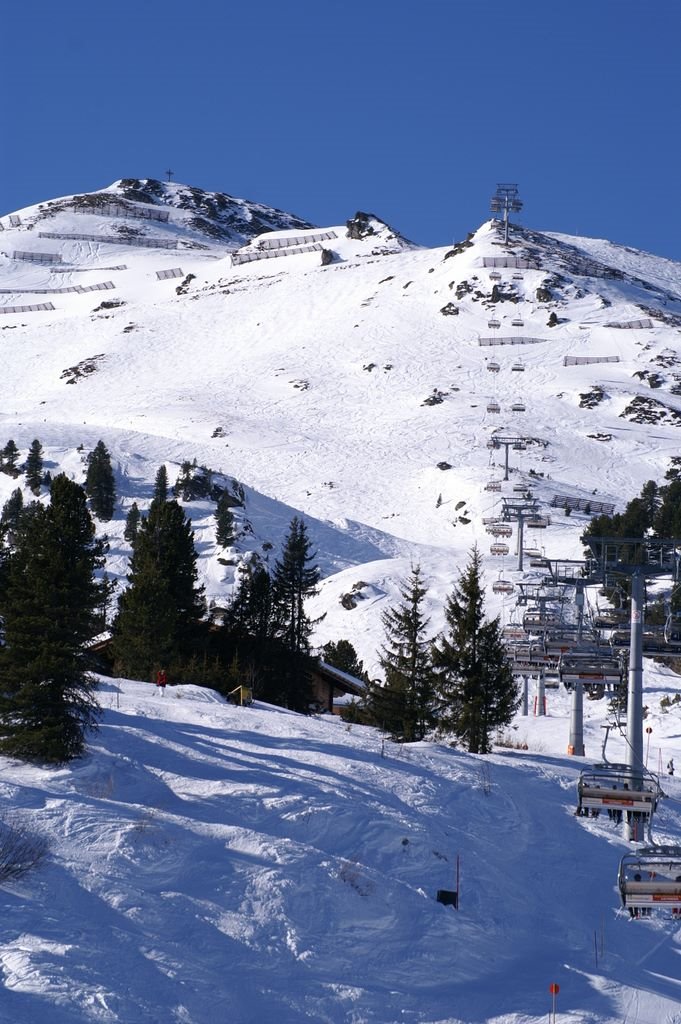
(476, 685)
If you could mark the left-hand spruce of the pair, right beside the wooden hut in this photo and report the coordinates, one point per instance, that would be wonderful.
(403, 705)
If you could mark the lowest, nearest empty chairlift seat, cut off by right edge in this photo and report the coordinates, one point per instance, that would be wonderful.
(651, 880)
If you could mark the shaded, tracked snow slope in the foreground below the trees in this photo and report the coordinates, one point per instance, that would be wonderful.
(209, 863)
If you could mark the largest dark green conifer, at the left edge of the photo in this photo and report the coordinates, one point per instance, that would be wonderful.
(50, 599)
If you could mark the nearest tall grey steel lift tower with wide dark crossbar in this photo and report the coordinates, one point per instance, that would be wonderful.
(636, 559)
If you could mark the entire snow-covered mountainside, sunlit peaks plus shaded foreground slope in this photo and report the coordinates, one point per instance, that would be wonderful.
(210, 863)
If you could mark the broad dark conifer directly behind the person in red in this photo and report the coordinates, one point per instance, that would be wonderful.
(159, 614)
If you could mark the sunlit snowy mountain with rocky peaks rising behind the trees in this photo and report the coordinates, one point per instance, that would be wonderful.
(338, 372)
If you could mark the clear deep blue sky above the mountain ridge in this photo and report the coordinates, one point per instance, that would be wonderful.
(413, 110)
